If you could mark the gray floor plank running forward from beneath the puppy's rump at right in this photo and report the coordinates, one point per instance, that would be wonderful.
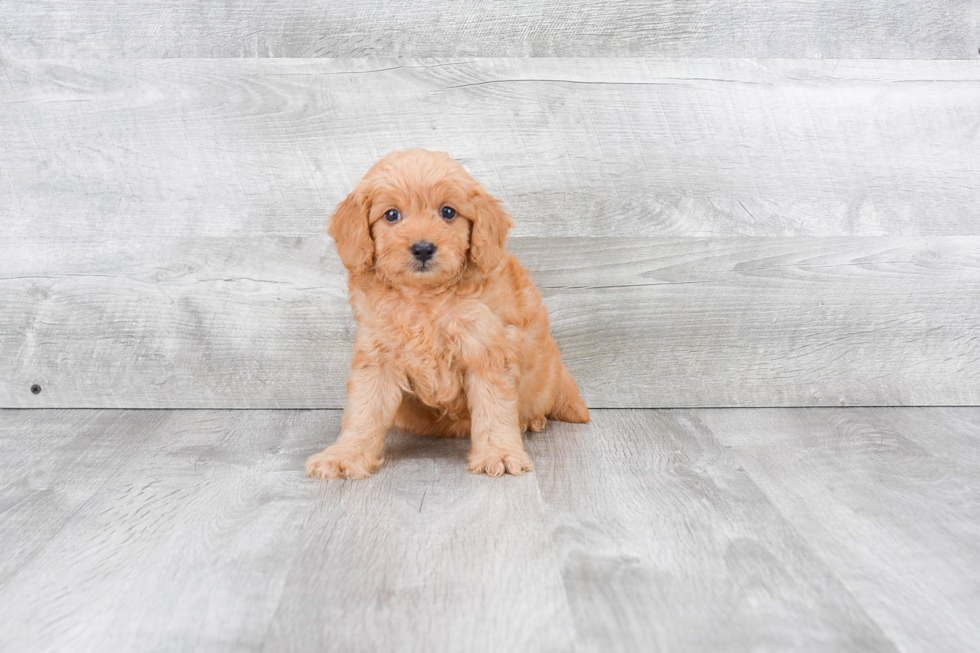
(666, 544)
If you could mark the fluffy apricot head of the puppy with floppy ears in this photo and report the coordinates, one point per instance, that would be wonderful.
(418, 219)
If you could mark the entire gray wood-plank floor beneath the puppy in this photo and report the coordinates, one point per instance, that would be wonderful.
(816, 529)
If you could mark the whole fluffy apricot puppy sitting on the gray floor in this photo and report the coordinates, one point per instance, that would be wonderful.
(452, 337)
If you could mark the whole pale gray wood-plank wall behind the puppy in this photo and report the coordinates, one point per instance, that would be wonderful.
(724, 204)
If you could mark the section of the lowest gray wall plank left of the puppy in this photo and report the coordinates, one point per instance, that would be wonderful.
(194, 322)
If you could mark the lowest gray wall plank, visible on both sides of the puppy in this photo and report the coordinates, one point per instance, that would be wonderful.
(263, 322)
